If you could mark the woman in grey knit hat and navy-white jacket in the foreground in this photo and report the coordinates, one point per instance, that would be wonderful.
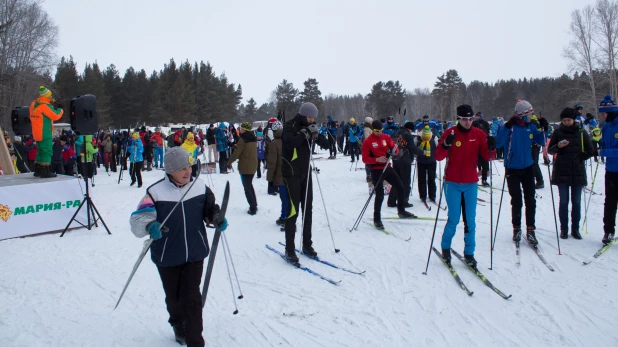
(179, 247)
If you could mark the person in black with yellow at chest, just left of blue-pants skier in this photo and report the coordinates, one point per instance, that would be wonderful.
(426, 165)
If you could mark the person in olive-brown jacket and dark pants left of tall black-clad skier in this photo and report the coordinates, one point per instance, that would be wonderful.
(246, 154)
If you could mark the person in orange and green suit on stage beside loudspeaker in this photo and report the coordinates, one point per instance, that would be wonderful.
(43, 112)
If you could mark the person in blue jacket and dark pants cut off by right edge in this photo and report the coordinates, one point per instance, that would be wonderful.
(608, 111)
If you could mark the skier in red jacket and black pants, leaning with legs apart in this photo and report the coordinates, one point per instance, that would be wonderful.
(376, 150)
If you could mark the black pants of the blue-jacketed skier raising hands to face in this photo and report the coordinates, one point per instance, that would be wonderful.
(516, 180)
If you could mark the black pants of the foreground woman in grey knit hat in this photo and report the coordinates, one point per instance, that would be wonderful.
(184, 299)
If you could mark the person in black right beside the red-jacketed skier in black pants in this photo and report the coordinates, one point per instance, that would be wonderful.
(402, 164)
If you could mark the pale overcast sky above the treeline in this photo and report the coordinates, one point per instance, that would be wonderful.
(347, 45)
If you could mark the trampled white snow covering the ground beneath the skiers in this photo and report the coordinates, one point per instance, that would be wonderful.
(61, 291)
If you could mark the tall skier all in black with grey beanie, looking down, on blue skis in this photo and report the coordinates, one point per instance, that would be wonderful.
(298, 133)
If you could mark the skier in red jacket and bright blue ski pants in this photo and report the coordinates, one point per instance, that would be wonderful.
(461, 145)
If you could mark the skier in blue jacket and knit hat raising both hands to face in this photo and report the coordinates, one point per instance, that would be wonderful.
(517, 137)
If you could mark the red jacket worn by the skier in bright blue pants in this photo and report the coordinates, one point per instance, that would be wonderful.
(463, 155)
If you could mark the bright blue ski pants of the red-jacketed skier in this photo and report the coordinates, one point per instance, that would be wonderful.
(454, 194)
